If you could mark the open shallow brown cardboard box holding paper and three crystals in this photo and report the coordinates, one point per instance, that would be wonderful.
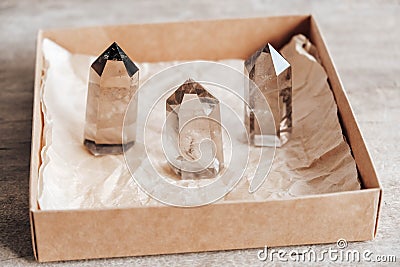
(84, 234)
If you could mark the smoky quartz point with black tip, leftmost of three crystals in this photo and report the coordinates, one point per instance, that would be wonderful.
(113, 81)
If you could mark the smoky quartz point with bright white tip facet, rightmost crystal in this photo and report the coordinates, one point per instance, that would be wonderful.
(272, 74)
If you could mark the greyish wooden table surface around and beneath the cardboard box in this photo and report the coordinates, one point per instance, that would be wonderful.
(364, 39)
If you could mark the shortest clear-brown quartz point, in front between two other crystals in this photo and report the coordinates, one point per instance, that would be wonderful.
(193, 139)
